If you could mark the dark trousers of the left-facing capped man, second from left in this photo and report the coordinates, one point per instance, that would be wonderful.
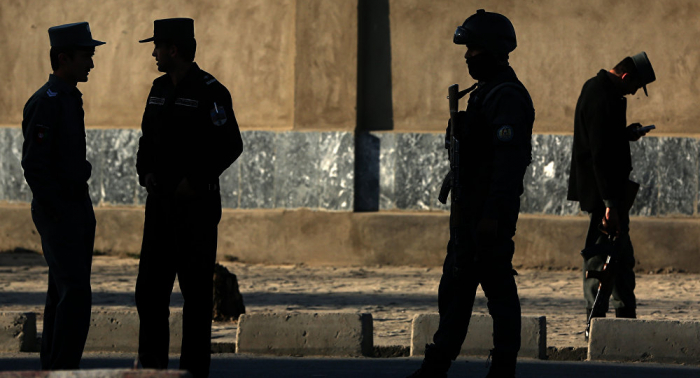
(179, 239)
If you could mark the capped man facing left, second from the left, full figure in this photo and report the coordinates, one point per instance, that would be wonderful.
(190, 136)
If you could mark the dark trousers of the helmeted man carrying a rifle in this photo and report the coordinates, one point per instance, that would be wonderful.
(476, 263)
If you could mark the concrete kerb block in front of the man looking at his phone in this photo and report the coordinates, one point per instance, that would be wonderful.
(663, 341)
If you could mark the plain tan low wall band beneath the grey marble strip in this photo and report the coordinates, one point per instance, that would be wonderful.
(379, 238)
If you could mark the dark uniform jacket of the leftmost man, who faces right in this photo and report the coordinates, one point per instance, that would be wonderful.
(54, 150)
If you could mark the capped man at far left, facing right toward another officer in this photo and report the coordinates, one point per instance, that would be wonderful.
(56, 169)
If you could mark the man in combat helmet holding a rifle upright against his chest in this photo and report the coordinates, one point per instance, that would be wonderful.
(495, 149)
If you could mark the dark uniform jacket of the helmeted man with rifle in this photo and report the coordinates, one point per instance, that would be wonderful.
(495, 146)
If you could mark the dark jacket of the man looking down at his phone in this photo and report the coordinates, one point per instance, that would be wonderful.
(600, 160)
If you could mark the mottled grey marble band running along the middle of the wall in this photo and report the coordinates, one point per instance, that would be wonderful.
(324, 170)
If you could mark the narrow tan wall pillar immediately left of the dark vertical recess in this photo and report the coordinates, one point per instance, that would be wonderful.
(325, 65)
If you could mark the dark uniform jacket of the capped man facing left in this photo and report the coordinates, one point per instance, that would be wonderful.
(189, 131)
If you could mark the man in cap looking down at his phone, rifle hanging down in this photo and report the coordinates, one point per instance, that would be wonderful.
(600, 168)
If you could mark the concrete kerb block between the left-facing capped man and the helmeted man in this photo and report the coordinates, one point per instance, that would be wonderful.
(332, 334)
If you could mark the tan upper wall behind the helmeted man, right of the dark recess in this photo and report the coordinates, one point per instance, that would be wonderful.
(561, 44)
